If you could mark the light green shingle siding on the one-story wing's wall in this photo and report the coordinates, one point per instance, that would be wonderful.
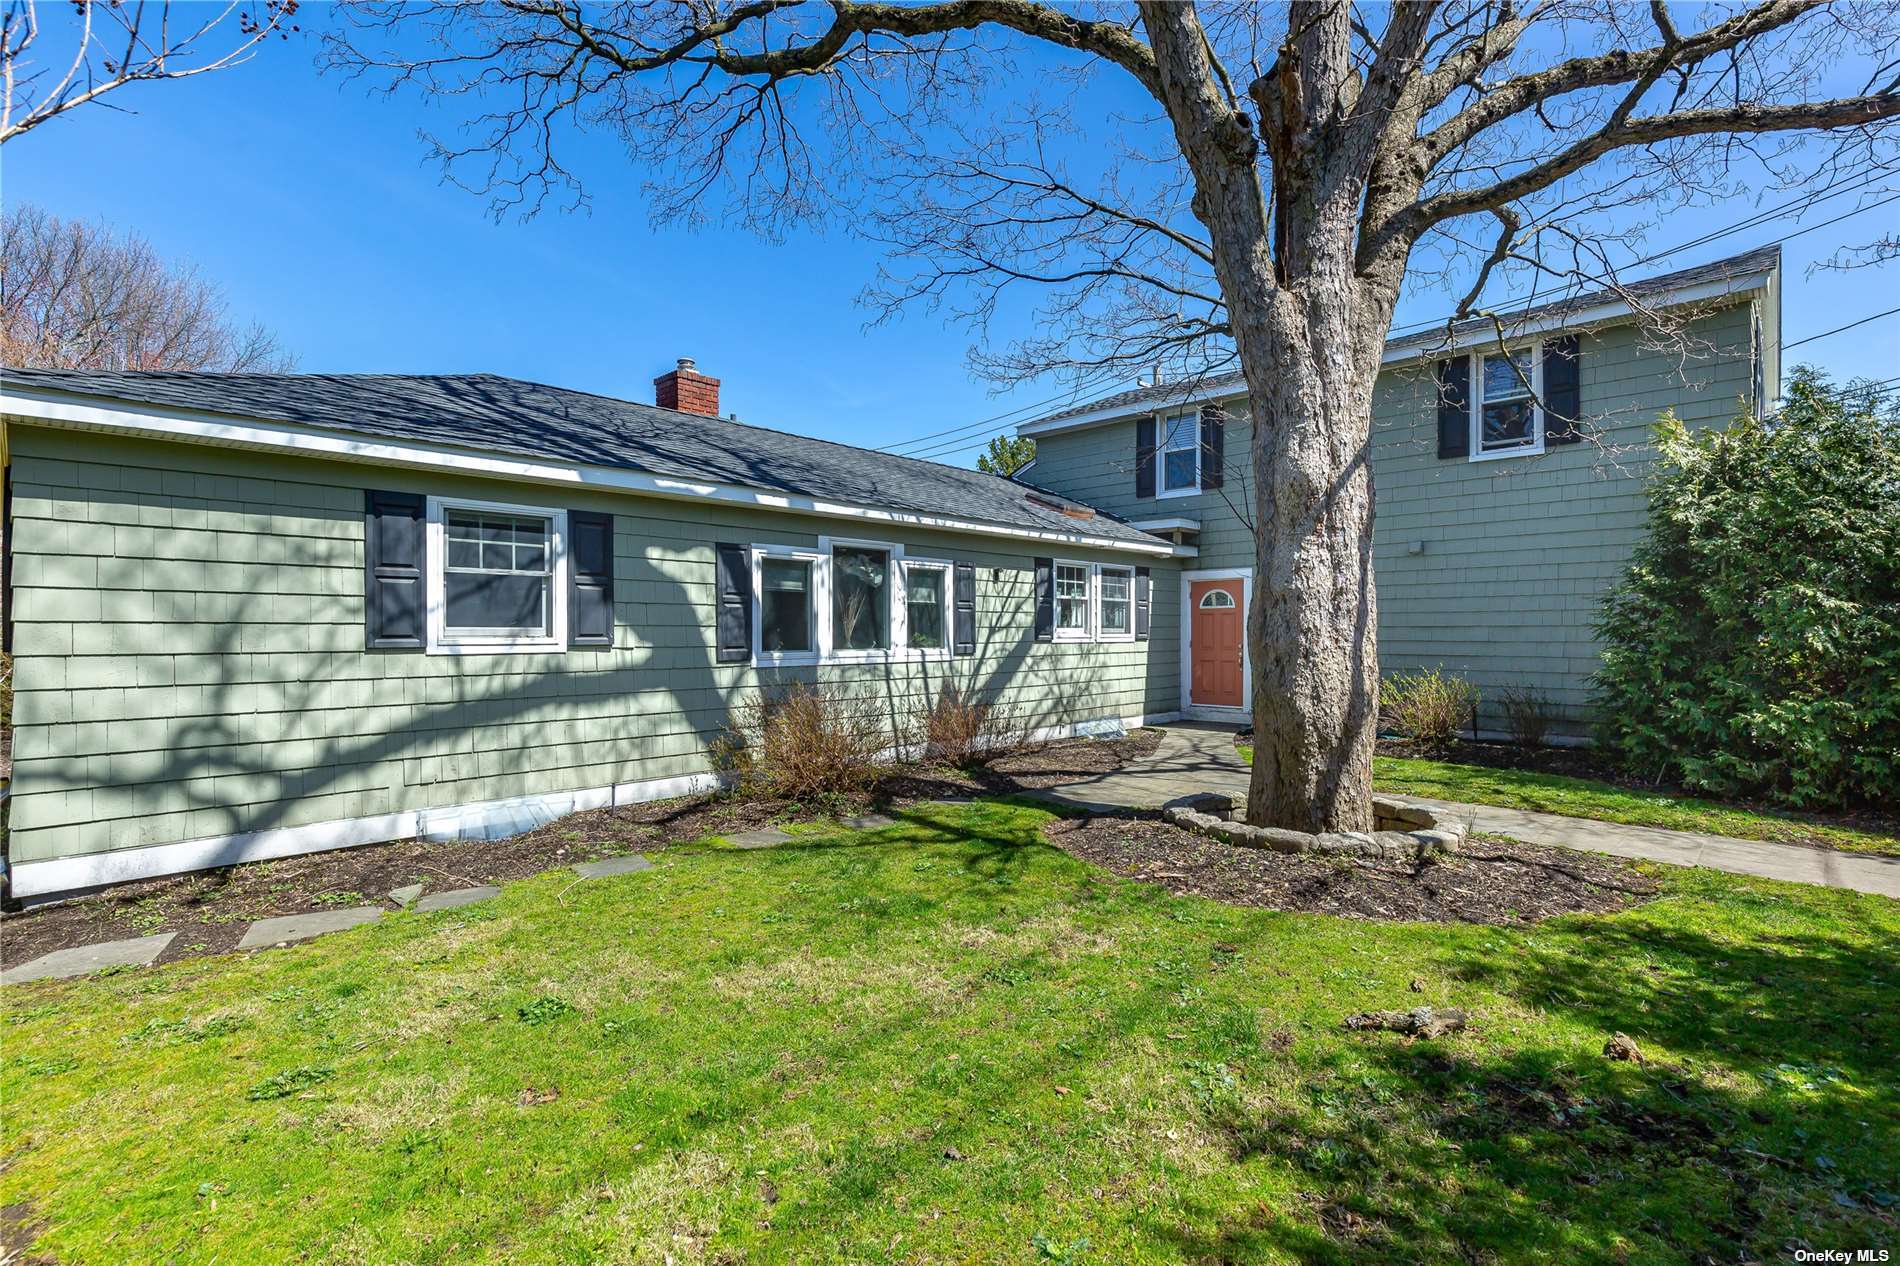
(191, 651)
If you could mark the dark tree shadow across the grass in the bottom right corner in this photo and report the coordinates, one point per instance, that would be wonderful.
(1477, 1153)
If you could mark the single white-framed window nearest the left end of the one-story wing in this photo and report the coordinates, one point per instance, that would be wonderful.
(499, 577)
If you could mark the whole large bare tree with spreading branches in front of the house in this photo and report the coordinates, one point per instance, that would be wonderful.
(1264, 201)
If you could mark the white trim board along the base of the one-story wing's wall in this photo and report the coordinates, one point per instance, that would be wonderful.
(56, 877)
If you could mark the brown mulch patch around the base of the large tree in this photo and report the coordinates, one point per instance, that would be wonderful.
(1491, 883)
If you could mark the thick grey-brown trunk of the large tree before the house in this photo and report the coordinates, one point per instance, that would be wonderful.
(1310, 326)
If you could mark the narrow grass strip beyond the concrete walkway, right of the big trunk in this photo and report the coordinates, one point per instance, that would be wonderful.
(1584, 797)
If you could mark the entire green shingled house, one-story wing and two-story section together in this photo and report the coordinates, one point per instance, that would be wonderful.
(265, 615)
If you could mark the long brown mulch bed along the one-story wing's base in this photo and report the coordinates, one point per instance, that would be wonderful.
(212, 910)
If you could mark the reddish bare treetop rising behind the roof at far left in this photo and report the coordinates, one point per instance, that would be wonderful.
(73, 296)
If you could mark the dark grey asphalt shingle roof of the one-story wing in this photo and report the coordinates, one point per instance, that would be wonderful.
(525, 419)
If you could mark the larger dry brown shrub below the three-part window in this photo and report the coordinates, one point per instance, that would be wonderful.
(803, 744)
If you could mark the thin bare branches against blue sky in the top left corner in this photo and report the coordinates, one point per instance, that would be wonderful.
(96, 48)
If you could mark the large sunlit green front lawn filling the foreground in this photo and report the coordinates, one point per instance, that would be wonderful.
(953, 1043)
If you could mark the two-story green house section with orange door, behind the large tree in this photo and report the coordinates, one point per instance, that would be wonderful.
(1504, 514)
